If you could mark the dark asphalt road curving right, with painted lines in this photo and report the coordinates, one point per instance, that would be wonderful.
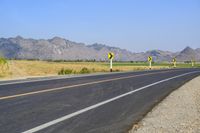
(108, 103)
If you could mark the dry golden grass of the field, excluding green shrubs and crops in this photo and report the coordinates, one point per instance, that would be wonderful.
(24, 68)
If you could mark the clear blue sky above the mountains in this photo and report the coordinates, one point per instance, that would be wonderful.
(136, 25)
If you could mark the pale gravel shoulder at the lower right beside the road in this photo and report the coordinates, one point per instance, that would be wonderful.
(179, 112)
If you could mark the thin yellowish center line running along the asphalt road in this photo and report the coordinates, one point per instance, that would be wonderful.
(78, 85)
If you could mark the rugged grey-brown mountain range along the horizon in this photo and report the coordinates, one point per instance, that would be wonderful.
(61, 49)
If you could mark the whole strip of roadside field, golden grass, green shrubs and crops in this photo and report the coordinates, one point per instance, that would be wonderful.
(28, 68)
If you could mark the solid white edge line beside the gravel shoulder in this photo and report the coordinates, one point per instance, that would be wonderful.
(43, 126)
